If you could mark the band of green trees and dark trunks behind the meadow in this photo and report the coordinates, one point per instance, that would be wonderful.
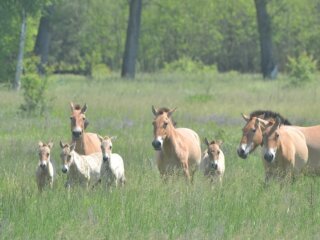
(75, 36)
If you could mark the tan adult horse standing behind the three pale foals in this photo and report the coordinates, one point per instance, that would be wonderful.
(86, 142)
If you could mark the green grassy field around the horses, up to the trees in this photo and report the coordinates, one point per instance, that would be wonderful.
(146, 208)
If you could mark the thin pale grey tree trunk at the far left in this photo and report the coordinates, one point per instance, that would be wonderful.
(19, 68)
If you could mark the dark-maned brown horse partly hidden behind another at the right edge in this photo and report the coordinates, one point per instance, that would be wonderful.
(252, 137)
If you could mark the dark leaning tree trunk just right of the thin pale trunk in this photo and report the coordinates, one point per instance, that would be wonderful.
(42, 44)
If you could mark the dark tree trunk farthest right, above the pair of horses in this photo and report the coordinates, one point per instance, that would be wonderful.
(268, 67)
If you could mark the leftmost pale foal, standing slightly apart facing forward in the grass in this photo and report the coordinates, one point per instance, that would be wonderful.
(45, 171)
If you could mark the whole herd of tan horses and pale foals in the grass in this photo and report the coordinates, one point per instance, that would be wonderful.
(88, 160)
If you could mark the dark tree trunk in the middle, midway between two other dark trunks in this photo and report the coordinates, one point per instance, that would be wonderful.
(132, 39)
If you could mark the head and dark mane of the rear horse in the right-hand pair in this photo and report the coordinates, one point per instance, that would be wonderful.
(252, 131)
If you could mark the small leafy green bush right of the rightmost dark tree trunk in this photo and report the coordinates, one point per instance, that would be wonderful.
(302, 68)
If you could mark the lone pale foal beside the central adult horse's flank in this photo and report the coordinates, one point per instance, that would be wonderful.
(213, 162)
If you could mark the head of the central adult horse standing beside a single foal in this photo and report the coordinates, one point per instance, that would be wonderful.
(162, 127)
